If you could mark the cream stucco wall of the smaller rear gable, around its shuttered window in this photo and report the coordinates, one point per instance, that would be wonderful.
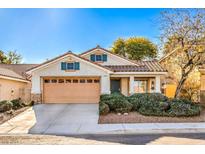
(111, 59)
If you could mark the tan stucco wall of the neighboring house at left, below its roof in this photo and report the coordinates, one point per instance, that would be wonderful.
(10, 89)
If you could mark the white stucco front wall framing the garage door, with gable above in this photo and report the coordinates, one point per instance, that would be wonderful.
(54, 69)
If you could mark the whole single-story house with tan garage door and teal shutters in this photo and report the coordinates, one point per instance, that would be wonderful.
(71, 78)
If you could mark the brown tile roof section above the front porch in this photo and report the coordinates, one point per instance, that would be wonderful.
(144, 66)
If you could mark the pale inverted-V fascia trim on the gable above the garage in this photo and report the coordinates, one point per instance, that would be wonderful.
(54, 61)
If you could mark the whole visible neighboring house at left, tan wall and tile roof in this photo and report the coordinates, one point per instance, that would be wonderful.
(13, 82)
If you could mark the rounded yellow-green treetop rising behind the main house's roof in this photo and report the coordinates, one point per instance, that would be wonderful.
(135, 48)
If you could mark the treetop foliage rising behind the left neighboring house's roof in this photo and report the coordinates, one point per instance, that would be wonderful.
(12, 57)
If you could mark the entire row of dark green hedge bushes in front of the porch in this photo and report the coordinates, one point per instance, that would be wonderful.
(149, 104)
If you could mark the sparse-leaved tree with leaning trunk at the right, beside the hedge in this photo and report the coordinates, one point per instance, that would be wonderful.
(183, 31)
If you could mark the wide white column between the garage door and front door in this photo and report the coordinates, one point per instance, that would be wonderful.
(105, 84)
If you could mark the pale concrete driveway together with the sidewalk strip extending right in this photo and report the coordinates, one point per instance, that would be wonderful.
(78, 119)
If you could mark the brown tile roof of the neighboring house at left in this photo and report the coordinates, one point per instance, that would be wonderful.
(15, 70)
